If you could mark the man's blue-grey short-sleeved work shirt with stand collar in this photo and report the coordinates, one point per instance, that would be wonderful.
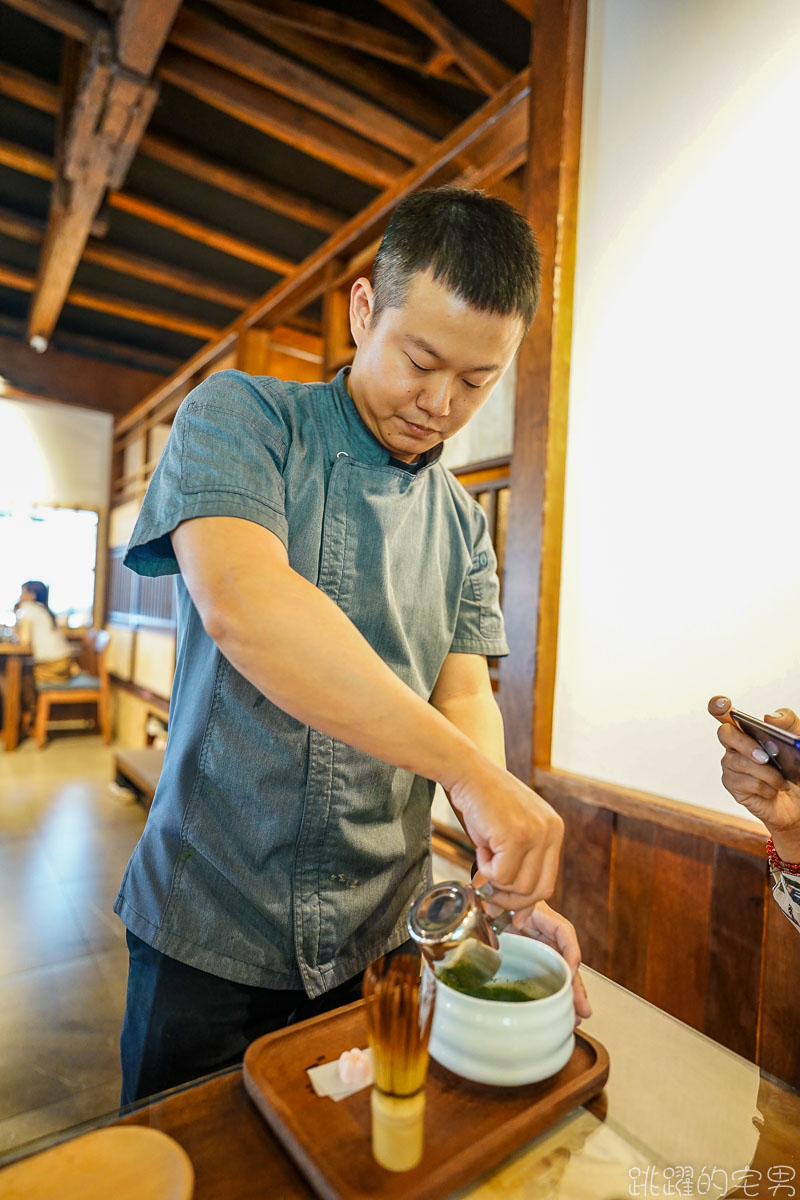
(273, 854)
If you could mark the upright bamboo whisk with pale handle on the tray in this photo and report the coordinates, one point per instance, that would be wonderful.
(400, 1012)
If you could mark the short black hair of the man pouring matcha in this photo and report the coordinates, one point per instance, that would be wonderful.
(478, 247)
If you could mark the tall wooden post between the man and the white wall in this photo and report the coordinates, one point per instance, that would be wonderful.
(534, 542)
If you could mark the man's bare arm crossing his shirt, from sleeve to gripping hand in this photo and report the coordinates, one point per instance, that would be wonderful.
(305, 656)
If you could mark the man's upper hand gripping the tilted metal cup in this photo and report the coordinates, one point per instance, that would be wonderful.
(518, 836)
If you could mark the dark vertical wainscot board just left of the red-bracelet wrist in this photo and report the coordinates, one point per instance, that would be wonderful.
(739, 902)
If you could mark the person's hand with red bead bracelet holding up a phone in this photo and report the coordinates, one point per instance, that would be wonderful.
(751, 779)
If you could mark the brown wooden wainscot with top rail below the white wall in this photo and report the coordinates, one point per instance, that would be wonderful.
(677, 908)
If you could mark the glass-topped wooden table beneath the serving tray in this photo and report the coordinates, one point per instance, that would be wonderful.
(681, 1117)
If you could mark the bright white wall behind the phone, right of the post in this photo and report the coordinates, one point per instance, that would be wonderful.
(682, 574)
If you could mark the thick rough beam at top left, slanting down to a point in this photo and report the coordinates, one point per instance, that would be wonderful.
(106, 106)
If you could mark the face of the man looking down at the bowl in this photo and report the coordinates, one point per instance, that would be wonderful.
(423, 370)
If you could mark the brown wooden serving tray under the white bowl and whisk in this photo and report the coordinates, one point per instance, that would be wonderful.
(470, 1127)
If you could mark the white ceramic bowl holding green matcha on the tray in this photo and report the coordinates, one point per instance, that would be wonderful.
(504, 1042)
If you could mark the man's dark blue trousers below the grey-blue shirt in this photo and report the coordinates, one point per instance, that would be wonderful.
(182, 1023)
